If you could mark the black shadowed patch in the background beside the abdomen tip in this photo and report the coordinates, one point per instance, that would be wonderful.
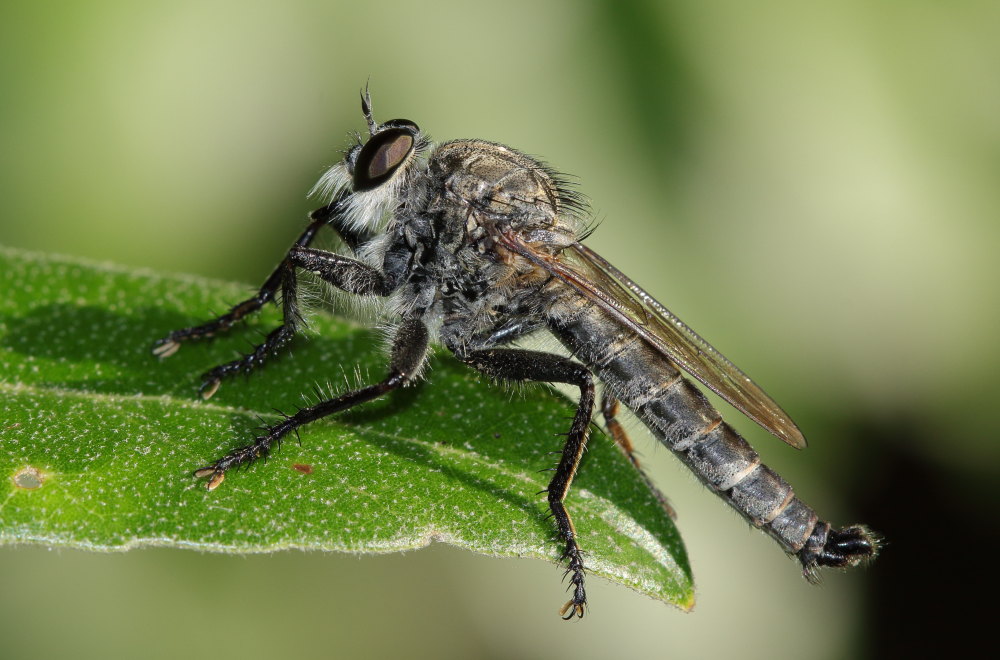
(929, 593)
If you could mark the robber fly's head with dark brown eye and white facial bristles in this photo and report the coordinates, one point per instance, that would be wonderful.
(375, 174)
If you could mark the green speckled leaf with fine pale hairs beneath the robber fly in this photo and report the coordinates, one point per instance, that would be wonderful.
(98, 439)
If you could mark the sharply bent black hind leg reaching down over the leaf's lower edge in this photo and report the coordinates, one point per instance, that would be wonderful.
(515, 364)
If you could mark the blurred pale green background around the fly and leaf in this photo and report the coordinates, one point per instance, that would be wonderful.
(812, 186)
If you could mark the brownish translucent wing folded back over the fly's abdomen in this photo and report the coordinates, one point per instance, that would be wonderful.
(592, 275)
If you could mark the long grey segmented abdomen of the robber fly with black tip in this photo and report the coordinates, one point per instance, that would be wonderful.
(681, 417)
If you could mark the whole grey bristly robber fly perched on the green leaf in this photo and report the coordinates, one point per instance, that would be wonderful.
(482, 243)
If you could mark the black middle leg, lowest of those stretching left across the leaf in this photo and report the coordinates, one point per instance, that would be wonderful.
(408, 351)
